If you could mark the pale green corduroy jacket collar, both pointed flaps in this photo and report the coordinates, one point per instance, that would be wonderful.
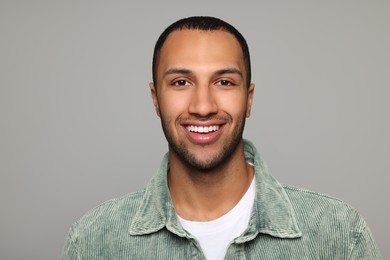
(272, 212)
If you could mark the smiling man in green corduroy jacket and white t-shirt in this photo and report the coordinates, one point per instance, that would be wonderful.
(213, 197)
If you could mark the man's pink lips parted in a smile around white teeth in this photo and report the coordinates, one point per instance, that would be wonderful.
(204, 138)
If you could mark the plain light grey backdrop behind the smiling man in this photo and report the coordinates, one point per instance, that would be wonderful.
(78, 126)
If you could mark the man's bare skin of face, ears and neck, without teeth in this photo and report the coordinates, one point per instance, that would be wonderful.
(201, 81)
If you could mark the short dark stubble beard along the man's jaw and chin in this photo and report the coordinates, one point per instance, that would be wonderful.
(180, 148)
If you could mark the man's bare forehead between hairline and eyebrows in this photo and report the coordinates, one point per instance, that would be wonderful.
(195, 47)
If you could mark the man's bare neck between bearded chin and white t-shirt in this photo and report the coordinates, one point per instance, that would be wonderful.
(204, 196)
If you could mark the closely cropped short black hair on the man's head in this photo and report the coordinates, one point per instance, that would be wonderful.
(203, 23)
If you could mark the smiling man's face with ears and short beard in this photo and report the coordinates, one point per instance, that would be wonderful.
(201, 96)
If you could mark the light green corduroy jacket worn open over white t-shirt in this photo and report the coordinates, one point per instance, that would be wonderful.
(286, 223)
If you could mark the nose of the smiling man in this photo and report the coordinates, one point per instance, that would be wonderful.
(203, 101)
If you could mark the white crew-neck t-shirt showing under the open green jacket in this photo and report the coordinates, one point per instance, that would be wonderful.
(216, 235)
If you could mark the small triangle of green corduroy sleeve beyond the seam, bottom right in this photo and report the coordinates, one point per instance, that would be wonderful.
(365, 247)
